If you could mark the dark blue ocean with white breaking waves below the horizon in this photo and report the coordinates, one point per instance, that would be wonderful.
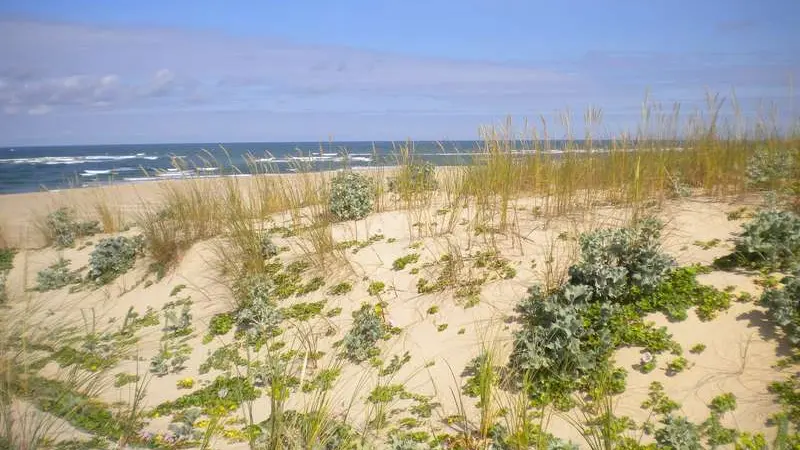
(31, 169)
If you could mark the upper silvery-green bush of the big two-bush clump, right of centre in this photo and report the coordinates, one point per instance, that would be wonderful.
(618, 263)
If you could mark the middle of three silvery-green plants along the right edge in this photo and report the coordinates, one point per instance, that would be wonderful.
(771, 240)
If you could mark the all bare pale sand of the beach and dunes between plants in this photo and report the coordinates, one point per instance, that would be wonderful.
(437, 331)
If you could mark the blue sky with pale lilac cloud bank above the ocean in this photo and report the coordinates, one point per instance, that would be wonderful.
(104, 72)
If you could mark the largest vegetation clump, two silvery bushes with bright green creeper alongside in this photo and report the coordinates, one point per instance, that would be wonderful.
(567, 334)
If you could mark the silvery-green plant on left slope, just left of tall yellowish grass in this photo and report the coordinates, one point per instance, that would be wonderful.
(113, 257)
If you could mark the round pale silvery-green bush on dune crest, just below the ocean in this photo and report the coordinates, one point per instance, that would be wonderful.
(351, 196)
